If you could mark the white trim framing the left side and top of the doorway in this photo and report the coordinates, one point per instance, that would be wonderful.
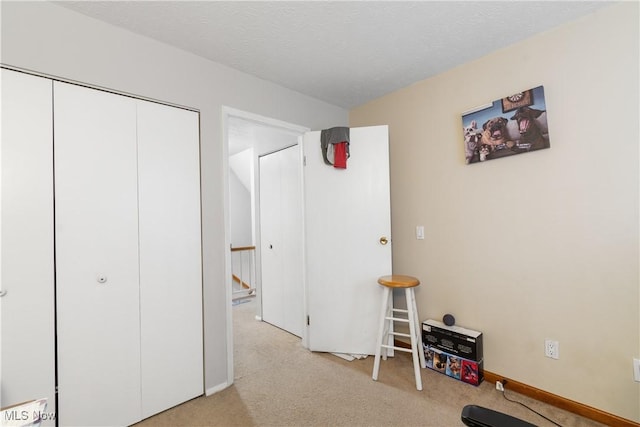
(227, 114)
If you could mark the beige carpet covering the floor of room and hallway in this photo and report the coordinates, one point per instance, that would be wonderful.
(279, 383)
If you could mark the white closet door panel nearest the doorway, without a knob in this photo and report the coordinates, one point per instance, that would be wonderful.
(170, 256)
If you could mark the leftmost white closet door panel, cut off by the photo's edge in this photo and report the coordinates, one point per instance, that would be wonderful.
(27, 309)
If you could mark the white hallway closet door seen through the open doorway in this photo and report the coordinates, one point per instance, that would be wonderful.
(281, 240)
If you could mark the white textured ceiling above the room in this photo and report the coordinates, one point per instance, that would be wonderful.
(346, 52)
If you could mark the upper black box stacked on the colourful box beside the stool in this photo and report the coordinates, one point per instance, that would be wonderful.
(455, 340)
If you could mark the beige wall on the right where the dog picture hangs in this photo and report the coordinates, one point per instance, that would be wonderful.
(540, 245)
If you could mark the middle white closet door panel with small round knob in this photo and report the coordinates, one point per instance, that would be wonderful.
(96, 257)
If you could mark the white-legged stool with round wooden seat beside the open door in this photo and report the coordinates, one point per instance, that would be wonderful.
(386, 333)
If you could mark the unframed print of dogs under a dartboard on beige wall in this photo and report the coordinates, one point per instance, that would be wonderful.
(515, 124)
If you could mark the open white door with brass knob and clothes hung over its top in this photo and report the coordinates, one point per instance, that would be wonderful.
(346, 214)
